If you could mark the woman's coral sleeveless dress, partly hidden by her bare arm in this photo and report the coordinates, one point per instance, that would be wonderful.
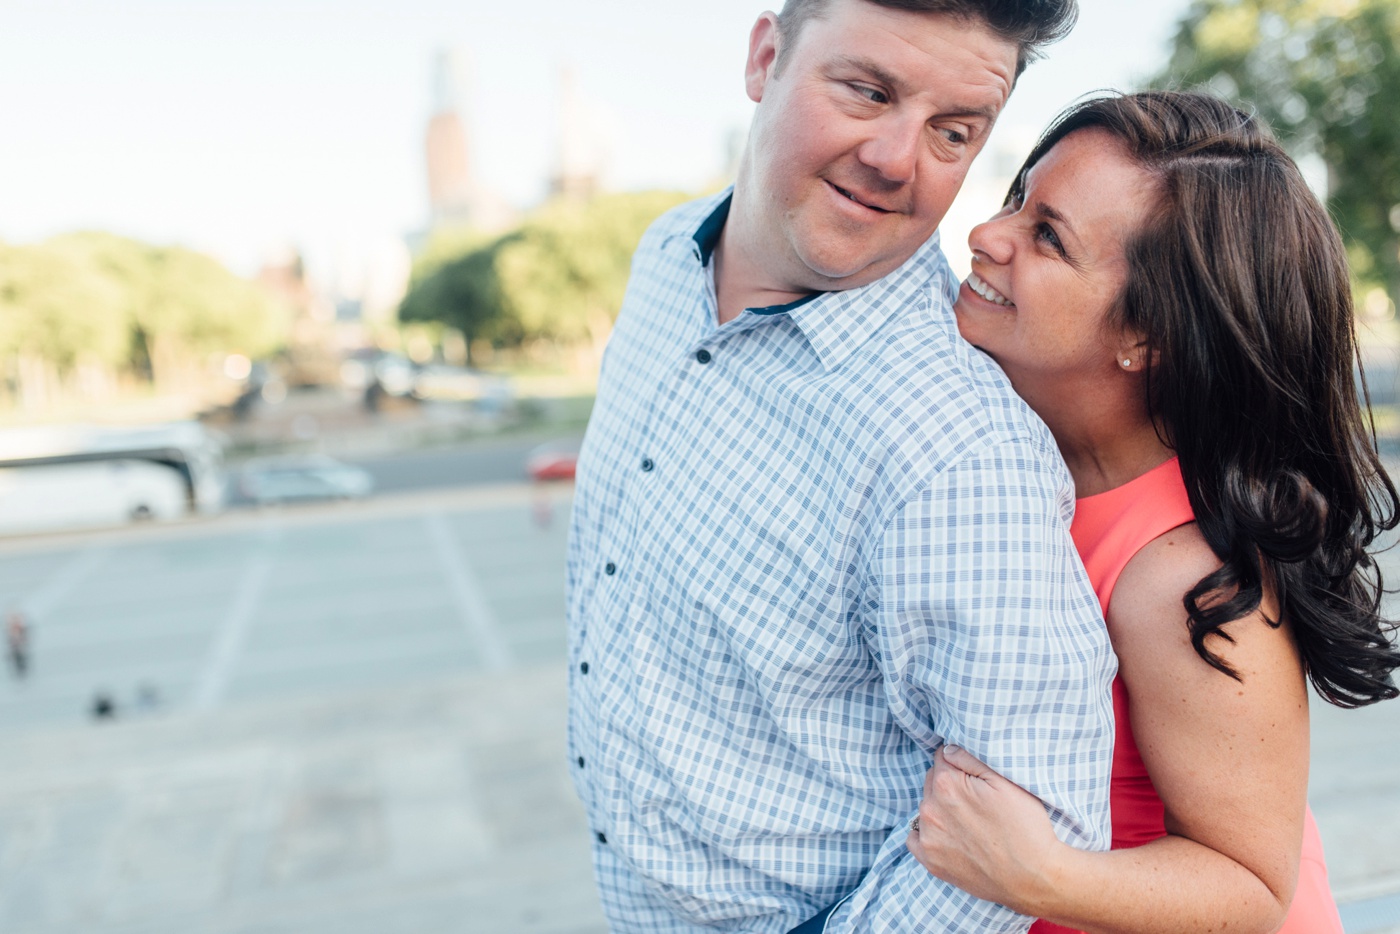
(1108, 531)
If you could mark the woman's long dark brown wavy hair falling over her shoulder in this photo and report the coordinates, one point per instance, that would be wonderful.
(1240, 286)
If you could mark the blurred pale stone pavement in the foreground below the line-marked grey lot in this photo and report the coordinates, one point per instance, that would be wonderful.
(429, 810)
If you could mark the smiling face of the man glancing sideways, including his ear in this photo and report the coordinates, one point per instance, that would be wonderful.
(863, 139)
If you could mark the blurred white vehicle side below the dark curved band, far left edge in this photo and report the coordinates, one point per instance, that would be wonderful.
(66, 496)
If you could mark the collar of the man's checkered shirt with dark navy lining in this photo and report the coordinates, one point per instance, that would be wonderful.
(838, 323)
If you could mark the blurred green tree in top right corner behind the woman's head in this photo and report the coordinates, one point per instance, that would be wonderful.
(1326, 76)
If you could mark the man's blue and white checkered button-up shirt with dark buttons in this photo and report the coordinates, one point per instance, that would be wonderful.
(810, 547)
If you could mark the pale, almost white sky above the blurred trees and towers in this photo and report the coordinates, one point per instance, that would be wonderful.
(239, 127)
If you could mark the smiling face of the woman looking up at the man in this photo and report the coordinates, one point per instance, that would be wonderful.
(1048, 268)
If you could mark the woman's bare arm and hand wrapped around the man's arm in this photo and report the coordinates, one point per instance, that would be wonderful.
(1228, 758)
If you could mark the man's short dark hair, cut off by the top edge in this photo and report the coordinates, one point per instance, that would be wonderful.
(1031, 25)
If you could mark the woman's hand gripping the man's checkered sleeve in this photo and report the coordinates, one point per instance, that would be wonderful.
(985, 834)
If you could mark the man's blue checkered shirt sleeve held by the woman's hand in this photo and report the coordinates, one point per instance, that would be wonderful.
(989, 636)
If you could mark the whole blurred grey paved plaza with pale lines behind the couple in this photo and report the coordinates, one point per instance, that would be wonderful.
(351, 719)
